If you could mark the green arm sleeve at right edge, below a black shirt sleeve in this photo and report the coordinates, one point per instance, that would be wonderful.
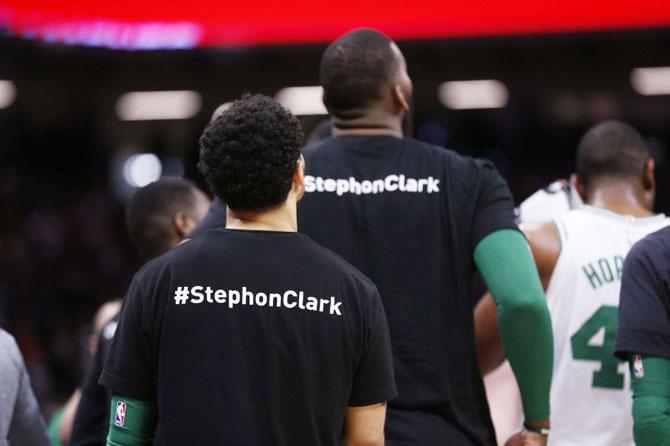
(651, 400)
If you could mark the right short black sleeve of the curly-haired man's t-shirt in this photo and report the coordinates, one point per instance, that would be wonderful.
(374, 381)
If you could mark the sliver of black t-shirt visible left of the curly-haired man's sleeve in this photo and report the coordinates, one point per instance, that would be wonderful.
(91, 421)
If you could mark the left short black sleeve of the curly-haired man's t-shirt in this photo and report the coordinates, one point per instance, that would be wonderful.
(128, 369)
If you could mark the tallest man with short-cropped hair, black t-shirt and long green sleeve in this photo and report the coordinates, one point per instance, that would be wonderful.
(416, 219)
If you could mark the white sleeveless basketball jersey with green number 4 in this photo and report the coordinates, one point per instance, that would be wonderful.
(590, 395)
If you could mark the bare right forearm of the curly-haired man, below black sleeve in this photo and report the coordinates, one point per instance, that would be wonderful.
(364, 426)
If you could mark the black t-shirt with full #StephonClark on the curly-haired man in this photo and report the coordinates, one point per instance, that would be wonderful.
(251, 337)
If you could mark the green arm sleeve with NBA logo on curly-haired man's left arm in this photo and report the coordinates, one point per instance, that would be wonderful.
(131, 422)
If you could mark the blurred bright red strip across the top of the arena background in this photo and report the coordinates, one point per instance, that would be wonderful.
(177, 24)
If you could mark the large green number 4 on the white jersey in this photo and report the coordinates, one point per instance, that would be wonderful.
(608, 376)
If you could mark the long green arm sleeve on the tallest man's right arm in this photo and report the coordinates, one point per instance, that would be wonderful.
(506, 264)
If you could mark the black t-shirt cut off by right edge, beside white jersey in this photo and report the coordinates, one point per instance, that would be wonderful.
(644, 308)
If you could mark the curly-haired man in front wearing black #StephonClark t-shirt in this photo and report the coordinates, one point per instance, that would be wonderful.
(251, 334)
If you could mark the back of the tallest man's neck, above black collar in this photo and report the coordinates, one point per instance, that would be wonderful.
(369, 123)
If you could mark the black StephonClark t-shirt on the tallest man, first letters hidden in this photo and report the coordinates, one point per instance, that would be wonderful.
(409, 216)
